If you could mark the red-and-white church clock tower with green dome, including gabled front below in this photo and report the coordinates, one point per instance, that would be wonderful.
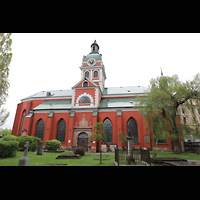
(88, 91)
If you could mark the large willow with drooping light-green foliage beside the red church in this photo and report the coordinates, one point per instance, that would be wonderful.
(161, 107)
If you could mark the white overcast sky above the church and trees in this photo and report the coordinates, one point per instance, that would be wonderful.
(51, 61)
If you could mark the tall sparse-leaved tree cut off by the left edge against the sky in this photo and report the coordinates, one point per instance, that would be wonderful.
(5, 59)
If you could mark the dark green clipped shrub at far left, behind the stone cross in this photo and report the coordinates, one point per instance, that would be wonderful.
(8, 148)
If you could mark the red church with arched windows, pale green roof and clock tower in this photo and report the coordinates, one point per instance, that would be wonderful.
(70, 115)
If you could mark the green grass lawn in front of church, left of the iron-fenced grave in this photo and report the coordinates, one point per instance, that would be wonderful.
(50, 158)
